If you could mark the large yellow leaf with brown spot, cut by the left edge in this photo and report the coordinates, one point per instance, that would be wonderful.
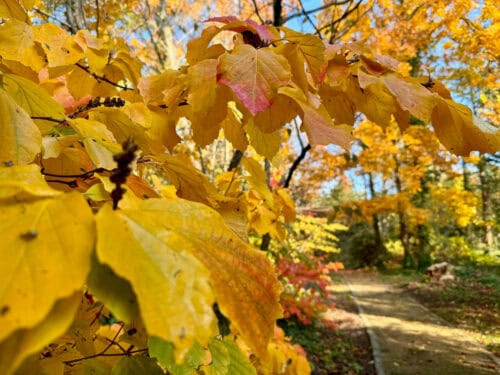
(46, 248)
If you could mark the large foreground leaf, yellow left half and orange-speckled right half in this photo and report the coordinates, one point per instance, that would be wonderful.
(174, 232)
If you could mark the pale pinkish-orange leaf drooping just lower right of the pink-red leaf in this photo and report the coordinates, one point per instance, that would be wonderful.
(318, 124)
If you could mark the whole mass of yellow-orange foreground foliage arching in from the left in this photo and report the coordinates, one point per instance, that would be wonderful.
(114, 244)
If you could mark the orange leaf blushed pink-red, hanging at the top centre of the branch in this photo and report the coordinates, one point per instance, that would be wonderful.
(255, 75)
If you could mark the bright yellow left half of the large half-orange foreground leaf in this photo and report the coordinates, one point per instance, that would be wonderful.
(172, 286)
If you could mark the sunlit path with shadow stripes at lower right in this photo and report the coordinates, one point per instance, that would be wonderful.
(409, 339)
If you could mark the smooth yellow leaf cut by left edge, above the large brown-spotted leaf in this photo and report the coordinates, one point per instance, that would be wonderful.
(21, 140)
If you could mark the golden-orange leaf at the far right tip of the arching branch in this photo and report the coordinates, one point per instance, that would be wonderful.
(460, 132)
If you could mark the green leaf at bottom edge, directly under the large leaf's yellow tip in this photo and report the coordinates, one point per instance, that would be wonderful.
(163, 352)
